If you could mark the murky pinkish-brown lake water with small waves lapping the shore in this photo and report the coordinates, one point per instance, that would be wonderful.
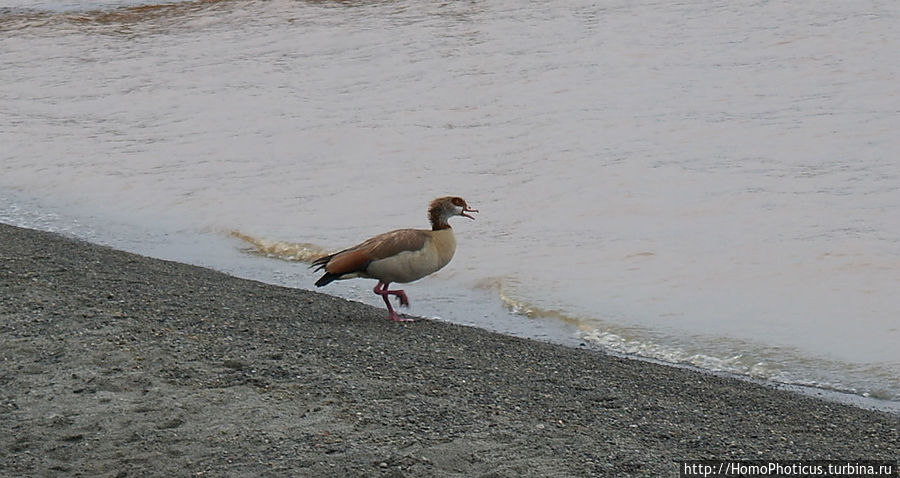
(712, 183)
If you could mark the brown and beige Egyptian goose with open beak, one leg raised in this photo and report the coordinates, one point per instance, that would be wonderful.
(404, 255)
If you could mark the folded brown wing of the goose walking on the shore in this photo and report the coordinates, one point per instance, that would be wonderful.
(357, 258)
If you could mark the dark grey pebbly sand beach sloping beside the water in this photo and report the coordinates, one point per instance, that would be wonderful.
(119, 365)
